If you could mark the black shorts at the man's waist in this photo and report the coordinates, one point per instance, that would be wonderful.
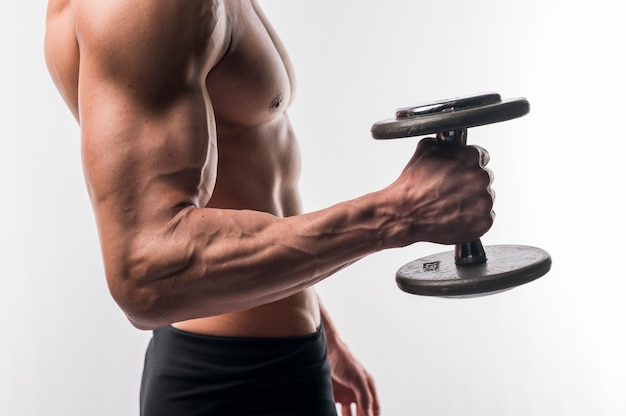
(189, 374)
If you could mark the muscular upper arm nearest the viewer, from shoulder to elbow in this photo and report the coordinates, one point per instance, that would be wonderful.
(146, 119)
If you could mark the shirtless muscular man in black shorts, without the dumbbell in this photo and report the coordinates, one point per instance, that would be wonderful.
(192, 169)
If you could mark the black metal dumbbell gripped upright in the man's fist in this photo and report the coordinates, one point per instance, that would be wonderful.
(470, 269)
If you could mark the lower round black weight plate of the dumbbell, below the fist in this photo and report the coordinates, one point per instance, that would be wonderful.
(507, 266)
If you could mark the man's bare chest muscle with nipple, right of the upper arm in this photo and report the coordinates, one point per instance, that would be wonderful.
(252, 83)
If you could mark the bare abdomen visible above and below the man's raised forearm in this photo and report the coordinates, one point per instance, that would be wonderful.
(259, 170)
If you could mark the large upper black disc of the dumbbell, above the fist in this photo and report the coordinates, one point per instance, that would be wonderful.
(450, 119)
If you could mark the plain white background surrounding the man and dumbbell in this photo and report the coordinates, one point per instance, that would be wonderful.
(552, 347)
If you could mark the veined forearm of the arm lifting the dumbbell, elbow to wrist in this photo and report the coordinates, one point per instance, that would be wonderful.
(214, 261)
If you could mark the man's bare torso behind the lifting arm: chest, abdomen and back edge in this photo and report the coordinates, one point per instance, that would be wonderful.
(250, 88)
